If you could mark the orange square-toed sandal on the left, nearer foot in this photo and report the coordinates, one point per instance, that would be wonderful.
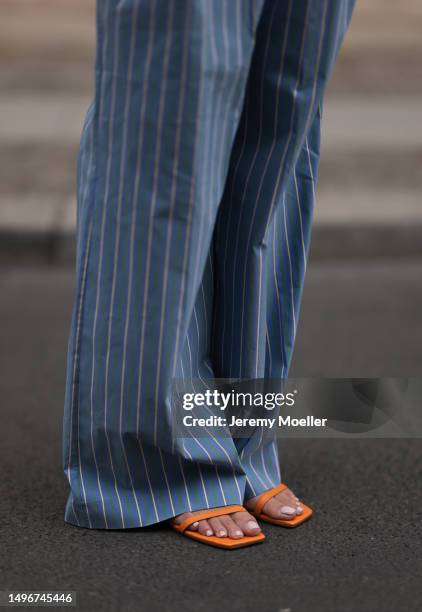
(213, 540)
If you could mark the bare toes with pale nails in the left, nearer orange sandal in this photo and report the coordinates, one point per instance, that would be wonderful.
(235, 525)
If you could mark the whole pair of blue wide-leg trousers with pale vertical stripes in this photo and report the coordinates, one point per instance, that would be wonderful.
(196, 184)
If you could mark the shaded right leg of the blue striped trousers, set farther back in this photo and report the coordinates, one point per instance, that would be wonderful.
(263, 229)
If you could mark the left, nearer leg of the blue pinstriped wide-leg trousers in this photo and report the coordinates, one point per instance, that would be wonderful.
(170, 79)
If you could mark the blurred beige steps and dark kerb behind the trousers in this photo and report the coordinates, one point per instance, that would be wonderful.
(369, 199)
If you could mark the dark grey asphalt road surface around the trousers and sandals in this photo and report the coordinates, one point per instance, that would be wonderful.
(360, 552)
